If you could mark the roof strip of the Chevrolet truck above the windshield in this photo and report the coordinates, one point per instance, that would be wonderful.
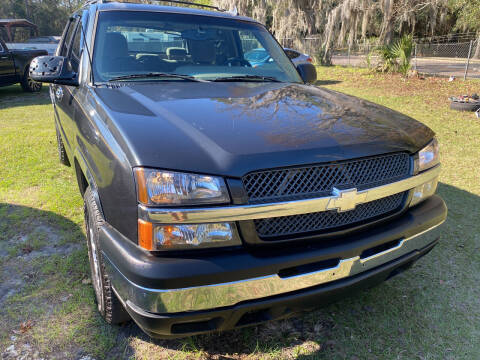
(105, 6)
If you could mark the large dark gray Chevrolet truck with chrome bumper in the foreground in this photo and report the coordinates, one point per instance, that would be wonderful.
(220, 195)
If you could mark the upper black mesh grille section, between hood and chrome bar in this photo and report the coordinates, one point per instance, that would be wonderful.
(318, 180)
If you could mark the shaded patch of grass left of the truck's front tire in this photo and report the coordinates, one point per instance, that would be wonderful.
(43, 267)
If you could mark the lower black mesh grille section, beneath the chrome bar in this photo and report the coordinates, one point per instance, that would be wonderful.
(328, 220)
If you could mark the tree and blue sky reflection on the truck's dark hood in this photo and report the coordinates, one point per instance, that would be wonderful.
(297, 115)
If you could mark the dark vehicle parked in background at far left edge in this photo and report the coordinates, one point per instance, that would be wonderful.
(14, 67)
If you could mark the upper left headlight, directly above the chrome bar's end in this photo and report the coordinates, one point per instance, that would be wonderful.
(167, 188)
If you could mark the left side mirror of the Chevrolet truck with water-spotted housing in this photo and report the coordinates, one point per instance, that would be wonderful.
(53, 70)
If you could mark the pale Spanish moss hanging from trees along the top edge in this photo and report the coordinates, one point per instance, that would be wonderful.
(340, 22)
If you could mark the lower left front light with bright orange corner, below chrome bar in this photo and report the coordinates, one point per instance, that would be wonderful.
(153, 237)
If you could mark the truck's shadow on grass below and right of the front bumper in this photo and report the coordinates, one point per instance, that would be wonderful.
(378, 312)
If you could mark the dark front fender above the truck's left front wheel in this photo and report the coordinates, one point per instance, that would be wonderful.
(109, 165)
